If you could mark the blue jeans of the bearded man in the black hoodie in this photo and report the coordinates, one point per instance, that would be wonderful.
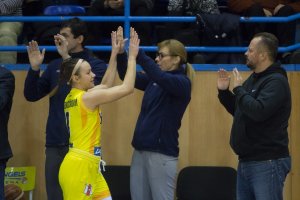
(262, 180)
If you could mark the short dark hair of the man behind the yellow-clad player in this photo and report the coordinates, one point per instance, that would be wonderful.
(77, 27)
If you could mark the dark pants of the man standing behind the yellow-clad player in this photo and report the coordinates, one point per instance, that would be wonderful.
(54, 157)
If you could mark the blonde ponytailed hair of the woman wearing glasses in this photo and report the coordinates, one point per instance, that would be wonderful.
(176, 48)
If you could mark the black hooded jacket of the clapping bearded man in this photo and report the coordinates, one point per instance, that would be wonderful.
(261, 109)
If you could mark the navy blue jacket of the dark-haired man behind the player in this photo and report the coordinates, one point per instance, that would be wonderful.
(37, 87)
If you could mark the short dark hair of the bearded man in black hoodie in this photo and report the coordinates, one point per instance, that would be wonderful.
(269, 42)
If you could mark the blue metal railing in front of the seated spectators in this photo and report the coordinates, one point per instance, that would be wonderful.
(127, 19)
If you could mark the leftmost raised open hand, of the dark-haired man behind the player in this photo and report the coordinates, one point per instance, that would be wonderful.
(35, 56)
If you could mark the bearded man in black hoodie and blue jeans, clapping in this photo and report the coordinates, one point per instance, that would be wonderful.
(261, 108)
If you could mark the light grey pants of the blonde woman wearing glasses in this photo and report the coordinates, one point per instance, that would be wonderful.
(152, 176)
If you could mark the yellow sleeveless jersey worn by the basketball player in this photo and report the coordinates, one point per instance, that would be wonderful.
(84, 124)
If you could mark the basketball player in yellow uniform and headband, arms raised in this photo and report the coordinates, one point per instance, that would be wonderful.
(80, 173)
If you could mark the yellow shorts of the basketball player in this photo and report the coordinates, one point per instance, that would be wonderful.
(80, 179)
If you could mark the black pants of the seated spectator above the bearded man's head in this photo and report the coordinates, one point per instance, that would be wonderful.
(285, 32)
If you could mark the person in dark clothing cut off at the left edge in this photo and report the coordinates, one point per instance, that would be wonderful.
(7, 89)
